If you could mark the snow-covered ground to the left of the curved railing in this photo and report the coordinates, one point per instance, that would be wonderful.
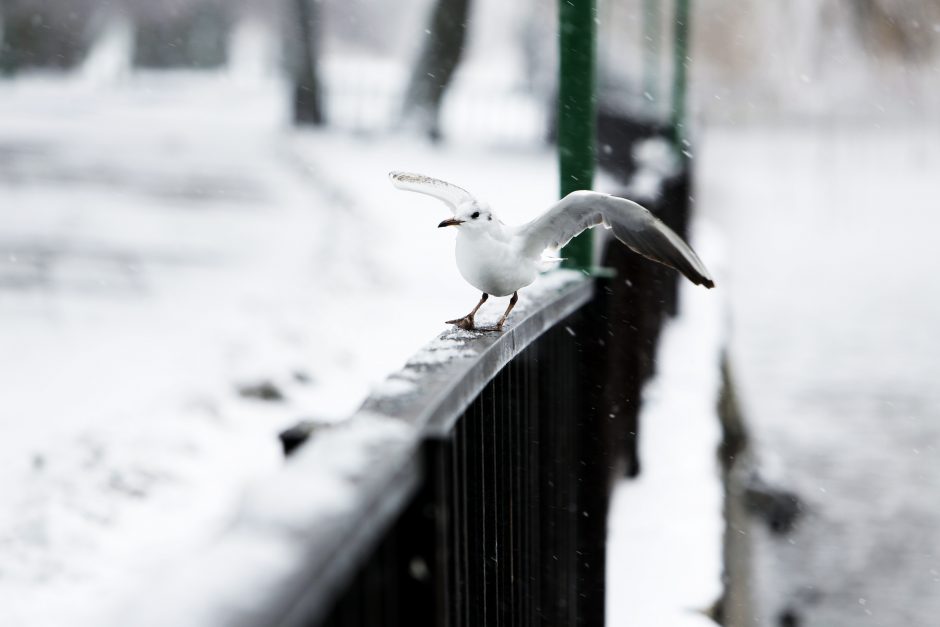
(165, 241)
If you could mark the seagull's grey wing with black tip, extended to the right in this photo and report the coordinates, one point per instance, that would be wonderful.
(631, 223)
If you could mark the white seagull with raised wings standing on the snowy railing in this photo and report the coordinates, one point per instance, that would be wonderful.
(500, 260)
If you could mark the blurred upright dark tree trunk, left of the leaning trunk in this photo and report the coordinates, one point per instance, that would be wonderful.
(308, 98)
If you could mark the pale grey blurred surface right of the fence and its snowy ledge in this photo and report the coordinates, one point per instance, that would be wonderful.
(833, 264)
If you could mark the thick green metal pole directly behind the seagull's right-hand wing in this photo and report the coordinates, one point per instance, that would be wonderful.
(577, 104)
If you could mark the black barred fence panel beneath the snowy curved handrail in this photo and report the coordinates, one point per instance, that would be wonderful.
(509, 526)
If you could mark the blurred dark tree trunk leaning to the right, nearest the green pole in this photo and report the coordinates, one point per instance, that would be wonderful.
(439, 57)
